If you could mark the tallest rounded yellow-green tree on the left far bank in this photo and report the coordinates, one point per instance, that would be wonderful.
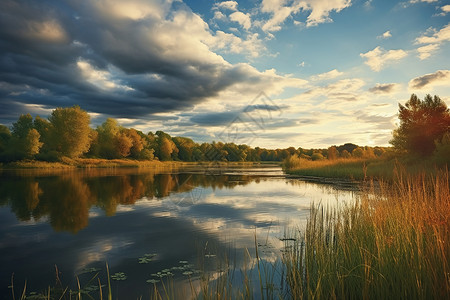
(70, 135)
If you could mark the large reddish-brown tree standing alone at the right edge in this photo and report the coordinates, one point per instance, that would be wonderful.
(422, 123)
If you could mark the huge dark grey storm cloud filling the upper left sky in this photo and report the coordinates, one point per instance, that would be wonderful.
(133, 67)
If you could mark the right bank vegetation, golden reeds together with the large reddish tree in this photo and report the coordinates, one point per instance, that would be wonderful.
(420, 144)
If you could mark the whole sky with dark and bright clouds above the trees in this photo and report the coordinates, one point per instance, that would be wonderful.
(270, 73)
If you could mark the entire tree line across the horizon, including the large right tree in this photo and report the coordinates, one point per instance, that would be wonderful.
(424, 130)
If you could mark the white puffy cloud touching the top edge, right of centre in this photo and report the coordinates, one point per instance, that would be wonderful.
(319, 11)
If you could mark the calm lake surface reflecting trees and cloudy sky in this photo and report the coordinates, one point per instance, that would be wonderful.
(143, 222)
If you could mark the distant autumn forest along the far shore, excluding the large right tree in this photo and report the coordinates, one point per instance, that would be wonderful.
(67, 133)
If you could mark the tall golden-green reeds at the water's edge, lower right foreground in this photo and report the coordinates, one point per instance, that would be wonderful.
(393, 243)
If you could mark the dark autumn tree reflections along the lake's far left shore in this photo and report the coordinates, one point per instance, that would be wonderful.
(66, 198)
